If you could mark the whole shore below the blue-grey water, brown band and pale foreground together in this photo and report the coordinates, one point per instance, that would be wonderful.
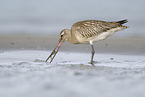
(119, 69)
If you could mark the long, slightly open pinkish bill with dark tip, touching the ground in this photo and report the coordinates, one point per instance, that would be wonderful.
(54, 52)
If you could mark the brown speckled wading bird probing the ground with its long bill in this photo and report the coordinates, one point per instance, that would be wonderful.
(88, 32)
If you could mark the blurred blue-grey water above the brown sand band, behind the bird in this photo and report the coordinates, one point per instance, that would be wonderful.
(51, 16)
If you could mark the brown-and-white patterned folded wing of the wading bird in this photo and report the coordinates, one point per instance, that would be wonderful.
(90, 28)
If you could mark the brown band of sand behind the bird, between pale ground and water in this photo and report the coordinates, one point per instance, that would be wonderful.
(48, 42)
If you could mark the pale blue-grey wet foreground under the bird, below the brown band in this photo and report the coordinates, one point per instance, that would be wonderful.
(23, 73)
